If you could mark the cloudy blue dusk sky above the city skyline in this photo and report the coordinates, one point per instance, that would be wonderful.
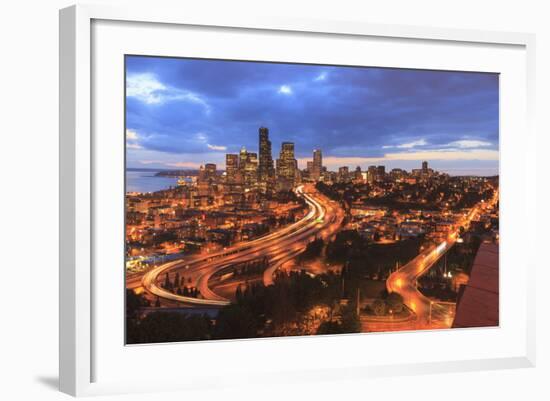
(185, 112)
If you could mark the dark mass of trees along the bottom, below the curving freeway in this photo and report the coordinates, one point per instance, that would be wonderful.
(259, 311)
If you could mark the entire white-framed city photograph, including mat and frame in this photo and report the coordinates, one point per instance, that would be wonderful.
(264, 190)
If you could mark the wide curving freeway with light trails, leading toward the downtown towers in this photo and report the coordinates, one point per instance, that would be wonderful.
(323, 219)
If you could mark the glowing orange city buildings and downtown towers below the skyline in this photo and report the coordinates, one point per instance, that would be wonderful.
(215, 208)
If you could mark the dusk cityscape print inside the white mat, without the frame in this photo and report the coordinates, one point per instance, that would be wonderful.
(302, 200)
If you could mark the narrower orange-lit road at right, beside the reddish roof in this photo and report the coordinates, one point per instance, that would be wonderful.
(429, 314)
